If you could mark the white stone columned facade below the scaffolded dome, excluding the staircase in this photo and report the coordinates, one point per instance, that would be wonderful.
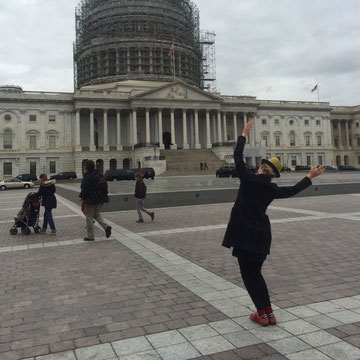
(126, 124)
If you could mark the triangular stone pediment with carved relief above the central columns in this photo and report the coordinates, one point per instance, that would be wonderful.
(177, 91)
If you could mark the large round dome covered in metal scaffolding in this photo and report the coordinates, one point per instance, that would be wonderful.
(130, 39)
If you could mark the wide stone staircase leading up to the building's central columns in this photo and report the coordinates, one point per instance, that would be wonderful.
(187, 162)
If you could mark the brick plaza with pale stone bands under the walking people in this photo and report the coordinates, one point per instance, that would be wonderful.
(168, 290)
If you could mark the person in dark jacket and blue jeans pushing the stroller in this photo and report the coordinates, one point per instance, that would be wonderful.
(48, 201)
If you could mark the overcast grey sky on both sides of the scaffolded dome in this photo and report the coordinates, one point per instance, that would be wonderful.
(270, 49)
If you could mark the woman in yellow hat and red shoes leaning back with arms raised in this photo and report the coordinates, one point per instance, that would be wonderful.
(248, 232)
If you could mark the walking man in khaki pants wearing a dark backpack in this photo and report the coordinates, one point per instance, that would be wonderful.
(94, 193)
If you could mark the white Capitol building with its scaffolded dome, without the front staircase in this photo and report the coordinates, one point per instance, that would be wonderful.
(144, 76)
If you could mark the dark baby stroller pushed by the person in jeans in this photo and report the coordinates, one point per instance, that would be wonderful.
(28, 216)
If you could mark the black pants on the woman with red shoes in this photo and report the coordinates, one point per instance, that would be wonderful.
(255, 283)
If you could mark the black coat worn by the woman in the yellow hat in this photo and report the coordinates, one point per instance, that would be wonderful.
(249, 227)
